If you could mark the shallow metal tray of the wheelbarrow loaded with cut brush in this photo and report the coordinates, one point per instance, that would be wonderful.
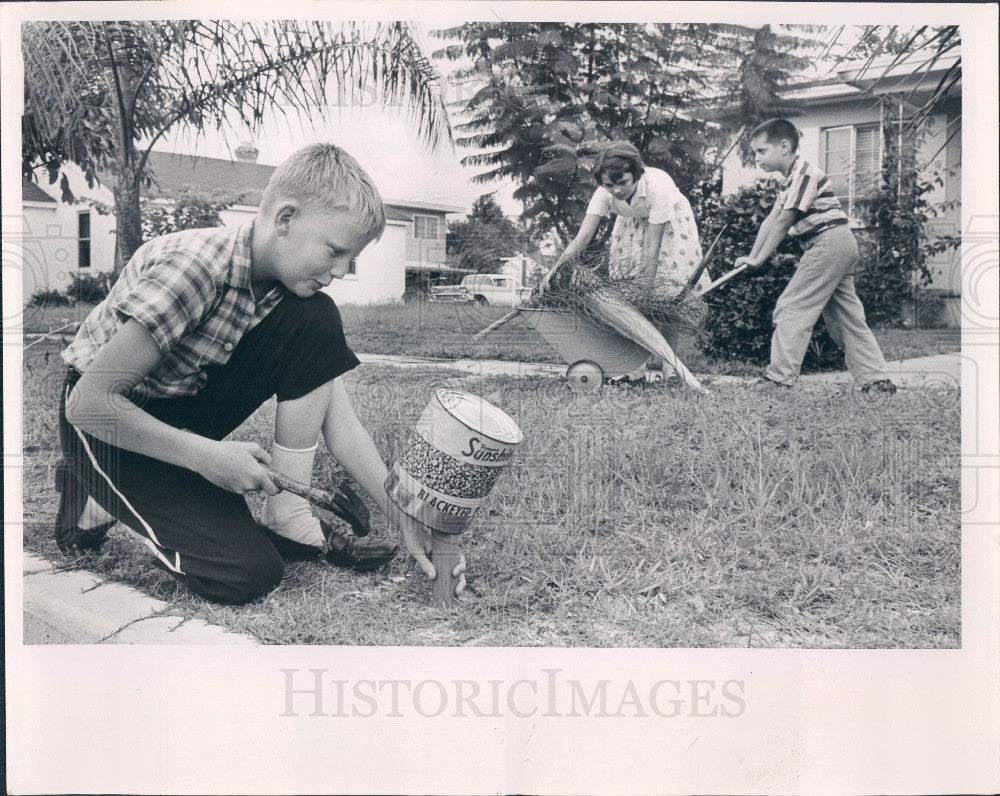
(576, 336)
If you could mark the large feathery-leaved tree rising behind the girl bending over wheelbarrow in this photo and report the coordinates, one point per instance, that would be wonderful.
(547, 95)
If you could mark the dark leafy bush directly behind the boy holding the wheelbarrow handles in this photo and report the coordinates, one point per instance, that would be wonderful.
(738, 325)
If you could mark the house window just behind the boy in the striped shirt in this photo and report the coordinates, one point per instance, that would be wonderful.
(851, 156)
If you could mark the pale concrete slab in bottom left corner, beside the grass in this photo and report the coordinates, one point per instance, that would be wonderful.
(79, 607)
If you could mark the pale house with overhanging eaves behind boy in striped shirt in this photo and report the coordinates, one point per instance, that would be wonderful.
(842, 124)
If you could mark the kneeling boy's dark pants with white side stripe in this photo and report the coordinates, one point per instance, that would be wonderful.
(200, 533)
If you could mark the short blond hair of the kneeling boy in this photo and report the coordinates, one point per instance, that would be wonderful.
(325, 177)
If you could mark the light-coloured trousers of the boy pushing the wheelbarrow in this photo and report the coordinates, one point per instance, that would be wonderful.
(823, 283)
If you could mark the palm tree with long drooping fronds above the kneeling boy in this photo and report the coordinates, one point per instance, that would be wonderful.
(101, 94)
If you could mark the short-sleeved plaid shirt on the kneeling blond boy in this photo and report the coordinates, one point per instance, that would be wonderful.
(192, 291)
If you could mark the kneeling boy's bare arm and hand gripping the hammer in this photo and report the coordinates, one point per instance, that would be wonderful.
(99, 405)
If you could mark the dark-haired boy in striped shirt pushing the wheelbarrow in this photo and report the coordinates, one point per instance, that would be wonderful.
(823, 283)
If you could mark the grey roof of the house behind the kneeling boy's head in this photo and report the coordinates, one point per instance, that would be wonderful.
(174, 172)
